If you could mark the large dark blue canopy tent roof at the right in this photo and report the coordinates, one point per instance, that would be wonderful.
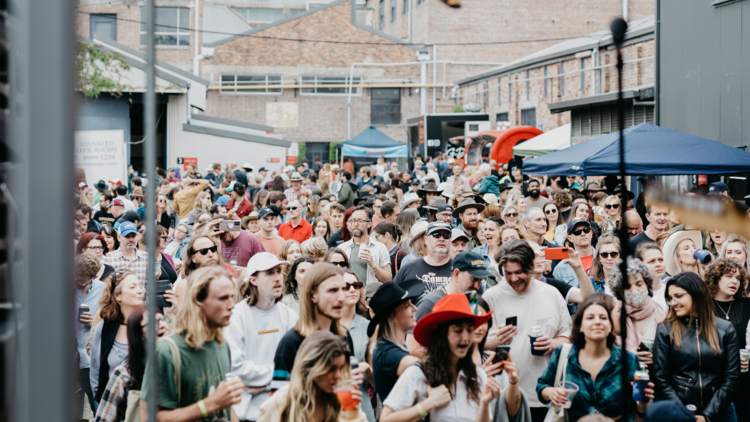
(649, 150)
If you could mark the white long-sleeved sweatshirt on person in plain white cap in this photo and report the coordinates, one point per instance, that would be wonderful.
(253, 336)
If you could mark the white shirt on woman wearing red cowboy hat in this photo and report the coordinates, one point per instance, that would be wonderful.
(411, 388)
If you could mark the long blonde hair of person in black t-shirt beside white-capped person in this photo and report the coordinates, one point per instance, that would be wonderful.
(314, 277)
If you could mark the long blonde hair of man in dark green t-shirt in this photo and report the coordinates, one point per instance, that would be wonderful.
(190, 318)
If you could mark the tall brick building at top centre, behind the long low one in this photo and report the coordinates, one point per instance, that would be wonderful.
(495, 26)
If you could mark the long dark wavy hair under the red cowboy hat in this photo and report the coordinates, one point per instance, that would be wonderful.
(437, 367)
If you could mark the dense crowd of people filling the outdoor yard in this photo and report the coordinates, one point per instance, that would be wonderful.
(442, 293)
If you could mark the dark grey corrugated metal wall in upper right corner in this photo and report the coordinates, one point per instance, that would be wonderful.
(705, 69)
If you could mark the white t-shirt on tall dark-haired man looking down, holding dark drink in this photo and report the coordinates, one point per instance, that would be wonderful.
(542, 306)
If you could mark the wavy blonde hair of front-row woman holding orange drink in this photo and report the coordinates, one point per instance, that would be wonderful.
(314, 358)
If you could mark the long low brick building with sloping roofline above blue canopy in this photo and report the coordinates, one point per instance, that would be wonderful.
(574, 81)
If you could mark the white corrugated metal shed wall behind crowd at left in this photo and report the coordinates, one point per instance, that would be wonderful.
(211, 149)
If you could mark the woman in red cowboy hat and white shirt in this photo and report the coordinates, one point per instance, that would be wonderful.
(447, 384)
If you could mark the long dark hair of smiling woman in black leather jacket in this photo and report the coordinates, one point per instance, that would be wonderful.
(702, 306)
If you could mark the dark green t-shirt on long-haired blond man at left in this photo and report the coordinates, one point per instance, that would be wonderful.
(202, 371)
